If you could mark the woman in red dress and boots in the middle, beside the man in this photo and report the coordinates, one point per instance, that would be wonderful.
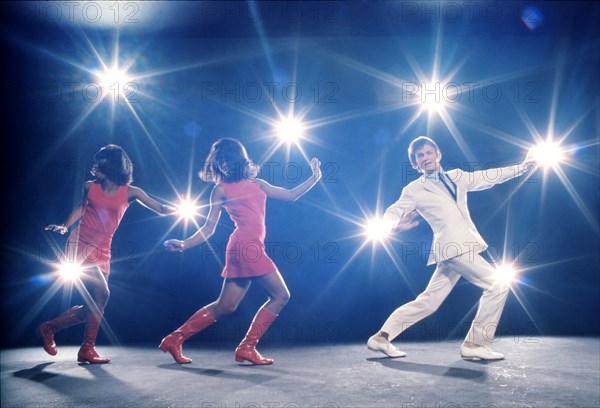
(244, 197)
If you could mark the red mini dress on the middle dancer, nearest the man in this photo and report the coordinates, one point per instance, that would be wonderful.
(245, 255)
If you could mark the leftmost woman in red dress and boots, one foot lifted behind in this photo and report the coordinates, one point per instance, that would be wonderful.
(105, 200)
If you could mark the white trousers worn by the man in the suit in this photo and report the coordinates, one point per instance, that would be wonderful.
(475, 269)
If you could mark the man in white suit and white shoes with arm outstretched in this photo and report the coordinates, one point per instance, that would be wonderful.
(441, 199)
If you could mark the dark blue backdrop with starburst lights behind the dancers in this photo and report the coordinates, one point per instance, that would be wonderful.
(209, 70)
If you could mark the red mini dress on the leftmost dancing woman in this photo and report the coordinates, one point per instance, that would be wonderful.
(90, 242)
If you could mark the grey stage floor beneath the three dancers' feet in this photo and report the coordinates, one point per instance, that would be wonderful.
(540, 372)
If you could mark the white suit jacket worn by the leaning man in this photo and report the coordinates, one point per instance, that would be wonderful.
(453, 230)
